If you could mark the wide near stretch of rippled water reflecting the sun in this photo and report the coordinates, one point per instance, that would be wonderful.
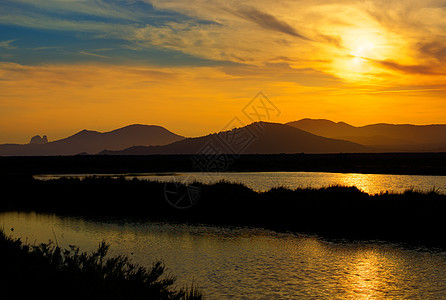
(246, 263)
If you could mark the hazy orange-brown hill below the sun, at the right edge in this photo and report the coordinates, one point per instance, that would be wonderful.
(383, 137)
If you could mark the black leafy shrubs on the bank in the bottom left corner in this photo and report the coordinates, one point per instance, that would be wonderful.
(46, 271)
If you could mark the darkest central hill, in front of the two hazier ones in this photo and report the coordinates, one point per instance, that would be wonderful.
(261, 138)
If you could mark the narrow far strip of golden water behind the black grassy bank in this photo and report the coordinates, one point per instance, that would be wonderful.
(262, 181)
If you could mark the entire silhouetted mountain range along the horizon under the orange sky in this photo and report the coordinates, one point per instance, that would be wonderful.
(303, 136)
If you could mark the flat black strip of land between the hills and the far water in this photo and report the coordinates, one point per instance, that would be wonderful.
(378, 163)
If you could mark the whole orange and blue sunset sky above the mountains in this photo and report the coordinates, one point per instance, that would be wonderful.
(193, 65)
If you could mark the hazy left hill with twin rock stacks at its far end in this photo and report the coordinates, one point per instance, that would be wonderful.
(92, 142)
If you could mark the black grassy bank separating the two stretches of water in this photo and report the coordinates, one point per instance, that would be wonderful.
(338, 212)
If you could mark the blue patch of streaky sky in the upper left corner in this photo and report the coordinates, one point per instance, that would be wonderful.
(36, 32)
